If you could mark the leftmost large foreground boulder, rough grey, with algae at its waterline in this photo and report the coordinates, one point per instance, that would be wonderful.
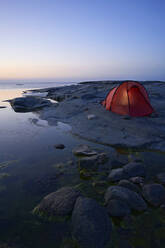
(59, 203)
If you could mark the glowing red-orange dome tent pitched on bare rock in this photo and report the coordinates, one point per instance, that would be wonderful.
(129, 98)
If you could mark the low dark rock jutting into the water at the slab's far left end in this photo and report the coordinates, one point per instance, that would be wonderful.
(29, 103)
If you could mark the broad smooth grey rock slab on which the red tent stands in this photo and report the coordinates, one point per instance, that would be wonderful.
(79, 106)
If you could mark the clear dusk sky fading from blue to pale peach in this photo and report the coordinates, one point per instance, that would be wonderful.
(76, 40)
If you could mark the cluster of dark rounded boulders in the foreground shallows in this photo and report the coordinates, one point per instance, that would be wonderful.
(123, 195)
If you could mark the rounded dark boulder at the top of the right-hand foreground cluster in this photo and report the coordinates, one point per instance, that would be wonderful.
(134, 169)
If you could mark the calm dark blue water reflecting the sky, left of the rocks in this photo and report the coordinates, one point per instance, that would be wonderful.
(29, 170)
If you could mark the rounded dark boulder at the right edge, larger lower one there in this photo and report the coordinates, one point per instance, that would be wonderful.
(154, 194)
